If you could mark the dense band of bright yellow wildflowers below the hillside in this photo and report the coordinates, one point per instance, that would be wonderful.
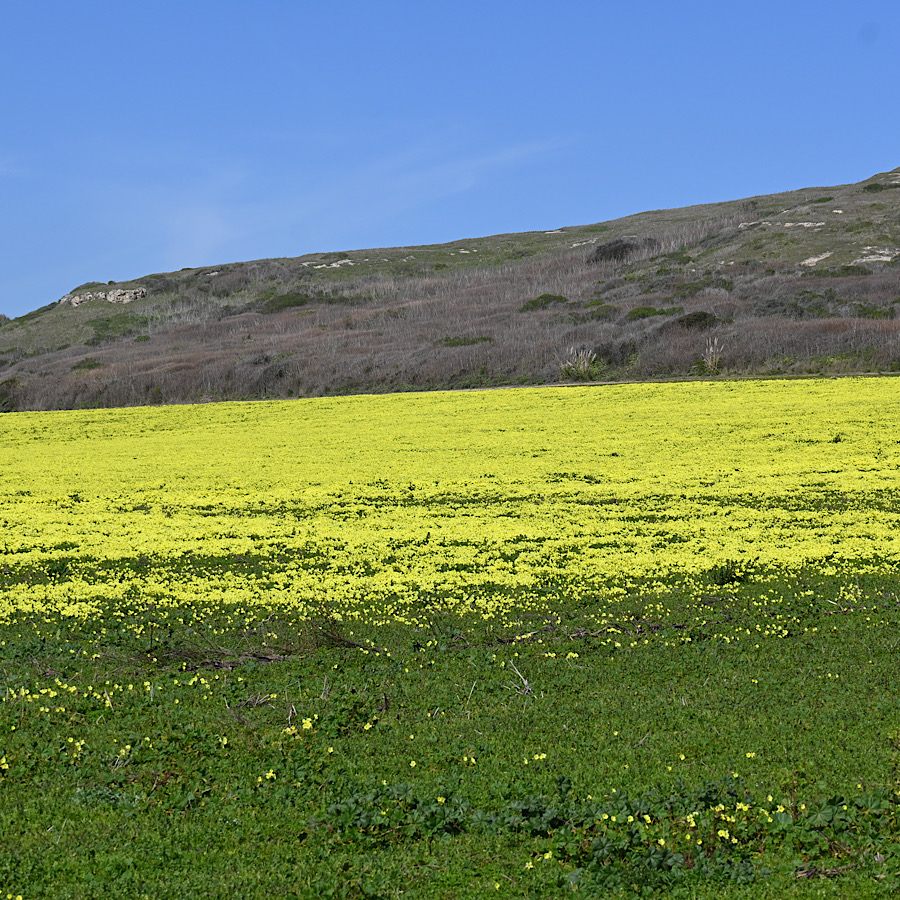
(363, 506)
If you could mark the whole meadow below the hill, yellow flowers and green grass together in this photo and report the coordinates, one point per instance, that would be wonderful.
(622, 640)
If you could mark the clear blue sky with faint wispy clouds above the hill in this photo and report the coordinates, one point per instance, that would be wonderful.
(139, 138)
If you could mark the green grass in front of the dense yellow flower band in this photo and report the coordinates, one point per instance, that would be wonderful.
(180, 765)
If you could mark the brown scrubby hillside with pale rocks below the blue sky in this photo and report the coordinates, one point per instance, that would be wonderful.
(805, 281)
